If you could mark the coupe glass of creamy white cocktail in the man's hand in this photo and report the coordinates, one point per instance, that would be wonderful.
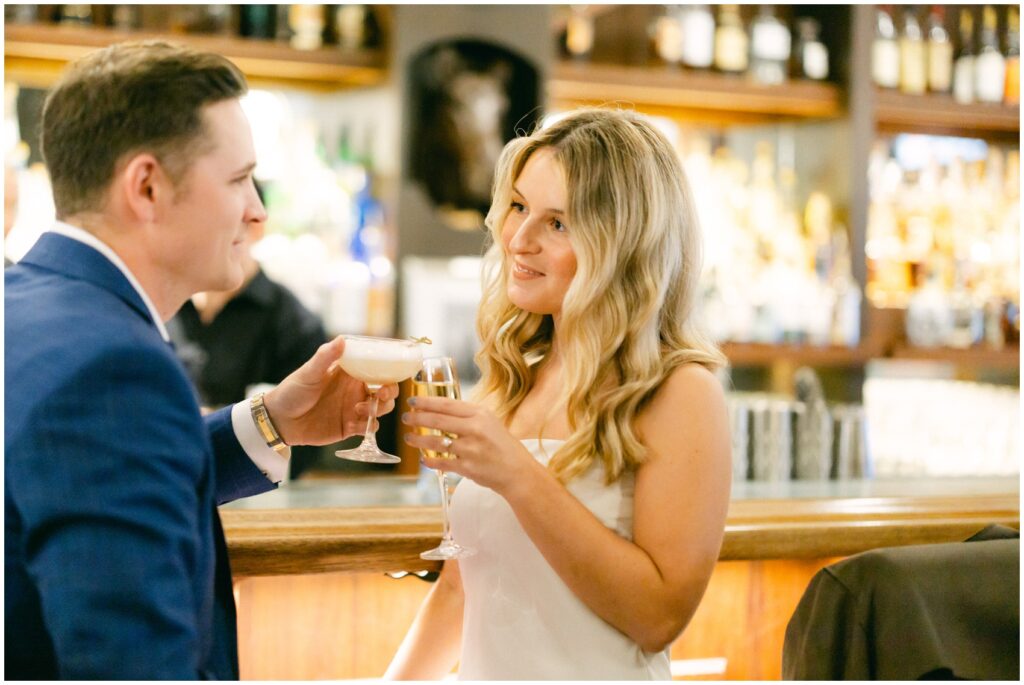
(377, 362)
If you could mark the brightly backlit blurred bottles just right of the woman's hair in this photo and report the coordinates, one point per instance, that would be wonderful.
(778, 268)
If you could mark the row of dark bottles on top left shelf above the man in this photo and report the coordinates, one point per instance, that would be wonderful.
(306, 27)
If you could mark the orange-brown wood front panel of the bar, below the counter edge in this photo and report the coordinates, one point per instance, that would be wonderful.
(336, 626)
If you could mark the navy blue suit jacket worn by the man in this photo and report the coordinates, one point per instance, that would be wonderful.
(115, 564)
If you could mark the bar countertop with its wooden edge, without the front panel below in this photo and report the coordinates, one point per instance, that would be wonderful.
(308, 528)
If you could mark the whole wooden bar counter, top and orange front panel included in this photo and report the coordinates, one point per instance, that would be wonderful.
(315, 603)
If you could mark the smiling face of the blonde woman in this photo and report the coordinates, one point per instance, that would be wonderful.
(536, 239)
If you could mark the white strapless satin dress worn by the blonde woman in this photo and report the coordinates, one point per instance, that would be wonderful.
(521, 621)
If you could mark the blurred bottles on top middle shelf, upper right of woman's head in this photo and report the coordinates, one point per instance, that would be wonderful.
(707, 37)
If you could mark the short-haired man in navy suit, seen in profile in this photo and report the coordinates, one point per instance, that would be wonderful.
(114, 556)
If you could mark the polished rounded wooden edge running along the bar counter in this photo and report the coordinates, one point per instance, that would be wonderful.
(322, 540)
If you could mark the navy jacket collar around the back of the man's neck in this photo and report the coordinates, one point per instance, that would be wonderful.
(78, 261)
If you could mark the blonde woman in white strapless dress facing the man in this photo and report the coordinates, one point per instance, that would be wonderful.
(596, 460)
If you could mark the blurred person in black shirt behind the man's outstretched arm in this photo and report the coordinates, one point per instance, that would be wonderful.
(257, 334)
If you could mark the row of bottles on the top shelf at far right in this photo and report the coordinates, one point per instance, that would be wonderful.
(928, 56)
